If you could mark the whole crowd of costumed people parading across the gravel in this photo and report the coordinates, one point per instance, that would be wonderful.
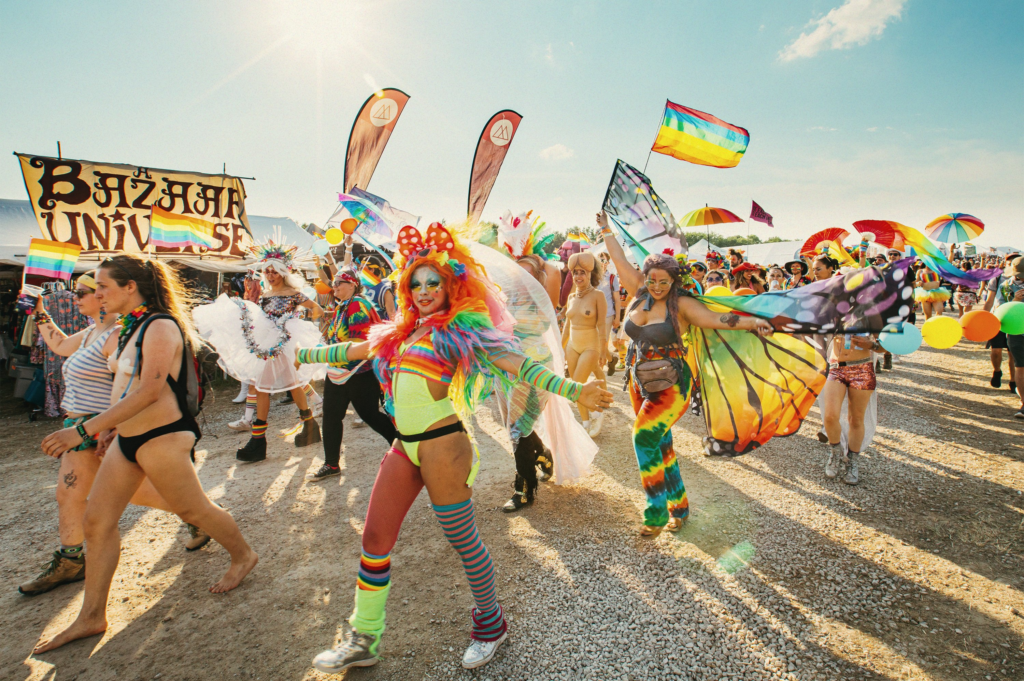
(415, 351)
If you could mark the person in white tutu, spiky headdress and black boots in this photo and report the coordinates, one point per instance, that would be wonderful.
(257, 344)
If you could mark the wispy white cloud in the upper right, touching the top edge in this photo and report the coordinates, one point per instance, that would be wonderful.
(854, 23)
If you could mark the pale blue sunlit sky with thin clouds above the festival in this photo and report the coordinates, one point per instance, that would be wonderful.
(900, 110)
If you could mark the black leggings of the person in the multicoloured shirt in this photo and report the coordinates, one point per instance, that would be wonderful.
(364, 393)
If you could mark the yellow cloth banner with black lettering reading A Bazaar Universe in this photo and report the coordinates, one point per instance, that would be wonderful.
(106, 208)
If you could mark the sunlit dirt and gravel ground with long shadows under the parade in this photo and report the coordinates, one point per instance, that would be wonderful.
(917, 574)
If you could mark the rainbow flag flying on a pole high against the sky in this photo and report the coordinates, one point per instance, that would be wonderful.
(699, 138)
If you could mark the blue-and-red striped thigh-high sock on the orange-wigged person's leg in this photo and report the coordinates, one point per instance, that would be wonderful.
(459, 527)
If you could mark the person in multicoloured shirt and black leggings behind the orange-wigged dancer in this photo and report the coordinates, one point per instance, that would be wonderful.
(350, 384)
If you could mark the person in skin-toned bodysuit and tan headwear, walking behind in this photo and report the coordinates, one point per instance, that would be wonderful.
(585, 335)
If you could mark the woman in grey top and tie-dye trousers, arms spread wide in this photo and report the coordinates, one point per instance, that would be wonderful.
(661, 371)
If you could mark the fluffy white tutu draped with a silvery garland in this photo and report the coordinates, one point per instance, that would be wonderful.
(221, 324)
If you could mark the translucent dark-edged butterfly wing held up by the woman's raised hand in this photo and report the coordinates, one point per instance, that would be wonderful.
(642, 216)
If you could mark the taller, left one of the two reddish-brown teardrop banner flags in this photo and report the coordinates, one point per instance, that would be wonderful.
(371, 131)
